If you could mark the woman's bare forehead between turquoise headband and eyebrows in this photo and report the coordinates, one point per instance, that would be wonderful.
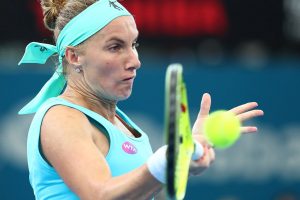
(122, 26)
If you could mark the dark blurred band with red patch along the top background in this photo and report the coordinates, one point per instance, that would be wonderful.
(230, 21)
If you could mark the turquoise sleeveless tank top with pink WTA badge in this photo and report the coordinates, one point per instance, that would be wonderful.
(125, 153)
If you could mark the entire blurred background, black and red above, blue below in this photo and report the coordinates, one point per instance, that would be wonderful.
(238, 51)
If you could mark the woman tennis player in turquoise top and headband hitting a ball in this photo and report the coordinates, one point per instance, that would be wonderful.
(80, 145)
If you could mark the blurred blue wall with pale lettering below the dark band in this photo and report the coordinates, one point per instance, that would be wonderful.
(259, 166)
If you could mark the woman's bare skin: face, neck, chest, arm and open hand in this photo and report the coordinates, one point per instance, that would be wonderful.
(76, 149)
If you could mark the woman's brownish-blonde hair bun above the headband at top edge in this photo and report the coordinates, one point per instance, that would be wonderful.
(51, 10)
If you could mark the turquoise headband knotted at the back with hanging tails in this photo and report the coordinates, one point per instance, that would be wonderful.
(79, 29)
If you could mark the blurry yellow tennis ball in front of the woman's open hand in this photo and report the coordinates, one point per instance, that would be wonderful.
(222, 128)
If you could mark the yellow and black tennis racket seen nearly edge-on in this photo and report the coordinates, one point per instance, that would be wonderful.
(177, 133)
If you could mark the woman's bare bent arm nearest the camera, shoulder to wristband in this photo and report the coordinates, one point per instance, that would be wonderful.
(67, 143)
